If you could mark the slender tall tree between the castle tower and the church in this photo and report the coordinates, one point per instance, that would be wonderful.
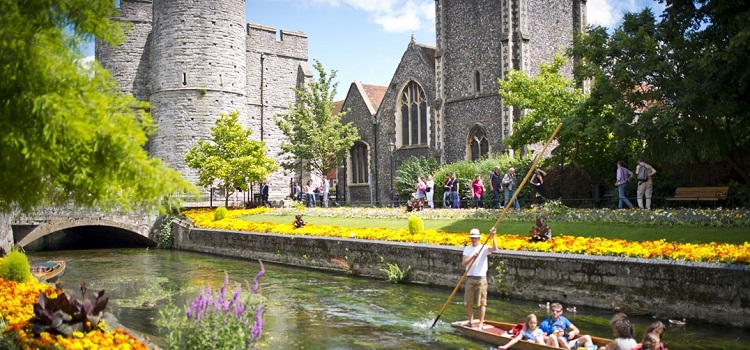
(317, 140)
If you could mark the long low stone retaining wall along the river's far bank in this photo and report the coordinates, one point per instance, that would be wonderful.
(710, 293)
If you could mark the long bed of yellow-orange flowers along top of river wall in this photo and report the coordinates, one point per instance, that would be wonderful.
(712, 252)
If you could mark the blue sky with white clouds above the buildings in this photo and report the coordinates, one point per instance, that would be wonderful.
(365, 39)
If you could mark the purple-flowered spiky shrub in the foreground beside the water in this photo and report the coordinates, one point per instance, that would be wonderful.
(214, 321)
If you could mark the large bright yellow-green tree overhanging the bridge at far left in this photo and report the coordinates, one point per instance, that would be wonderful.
(68, 133)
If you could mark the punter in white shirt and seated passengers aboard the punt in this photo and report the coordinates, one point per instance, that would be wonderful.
(556, 330)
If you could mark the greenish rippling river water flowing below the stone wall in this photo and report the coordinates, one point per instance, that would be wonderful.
(308, 309)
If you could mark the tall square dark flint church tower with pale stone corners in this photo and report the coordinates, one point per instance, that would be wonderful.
(479, 42)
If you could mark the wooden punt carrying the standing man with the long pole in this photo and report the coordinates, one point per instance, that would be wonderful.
(496, 333)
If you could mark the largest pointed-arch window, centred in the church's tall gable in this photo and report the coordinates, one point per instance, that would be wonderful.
(413, 115)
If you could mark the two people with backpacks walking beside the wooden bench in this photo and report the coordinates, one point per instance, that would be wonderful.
(644, 173)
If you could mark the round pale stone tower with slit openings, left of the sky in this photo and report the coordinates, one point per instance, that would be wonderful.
(198, 69)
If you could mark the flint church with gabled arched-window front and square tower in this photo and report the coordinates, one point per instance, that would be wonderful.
(443, 101)
